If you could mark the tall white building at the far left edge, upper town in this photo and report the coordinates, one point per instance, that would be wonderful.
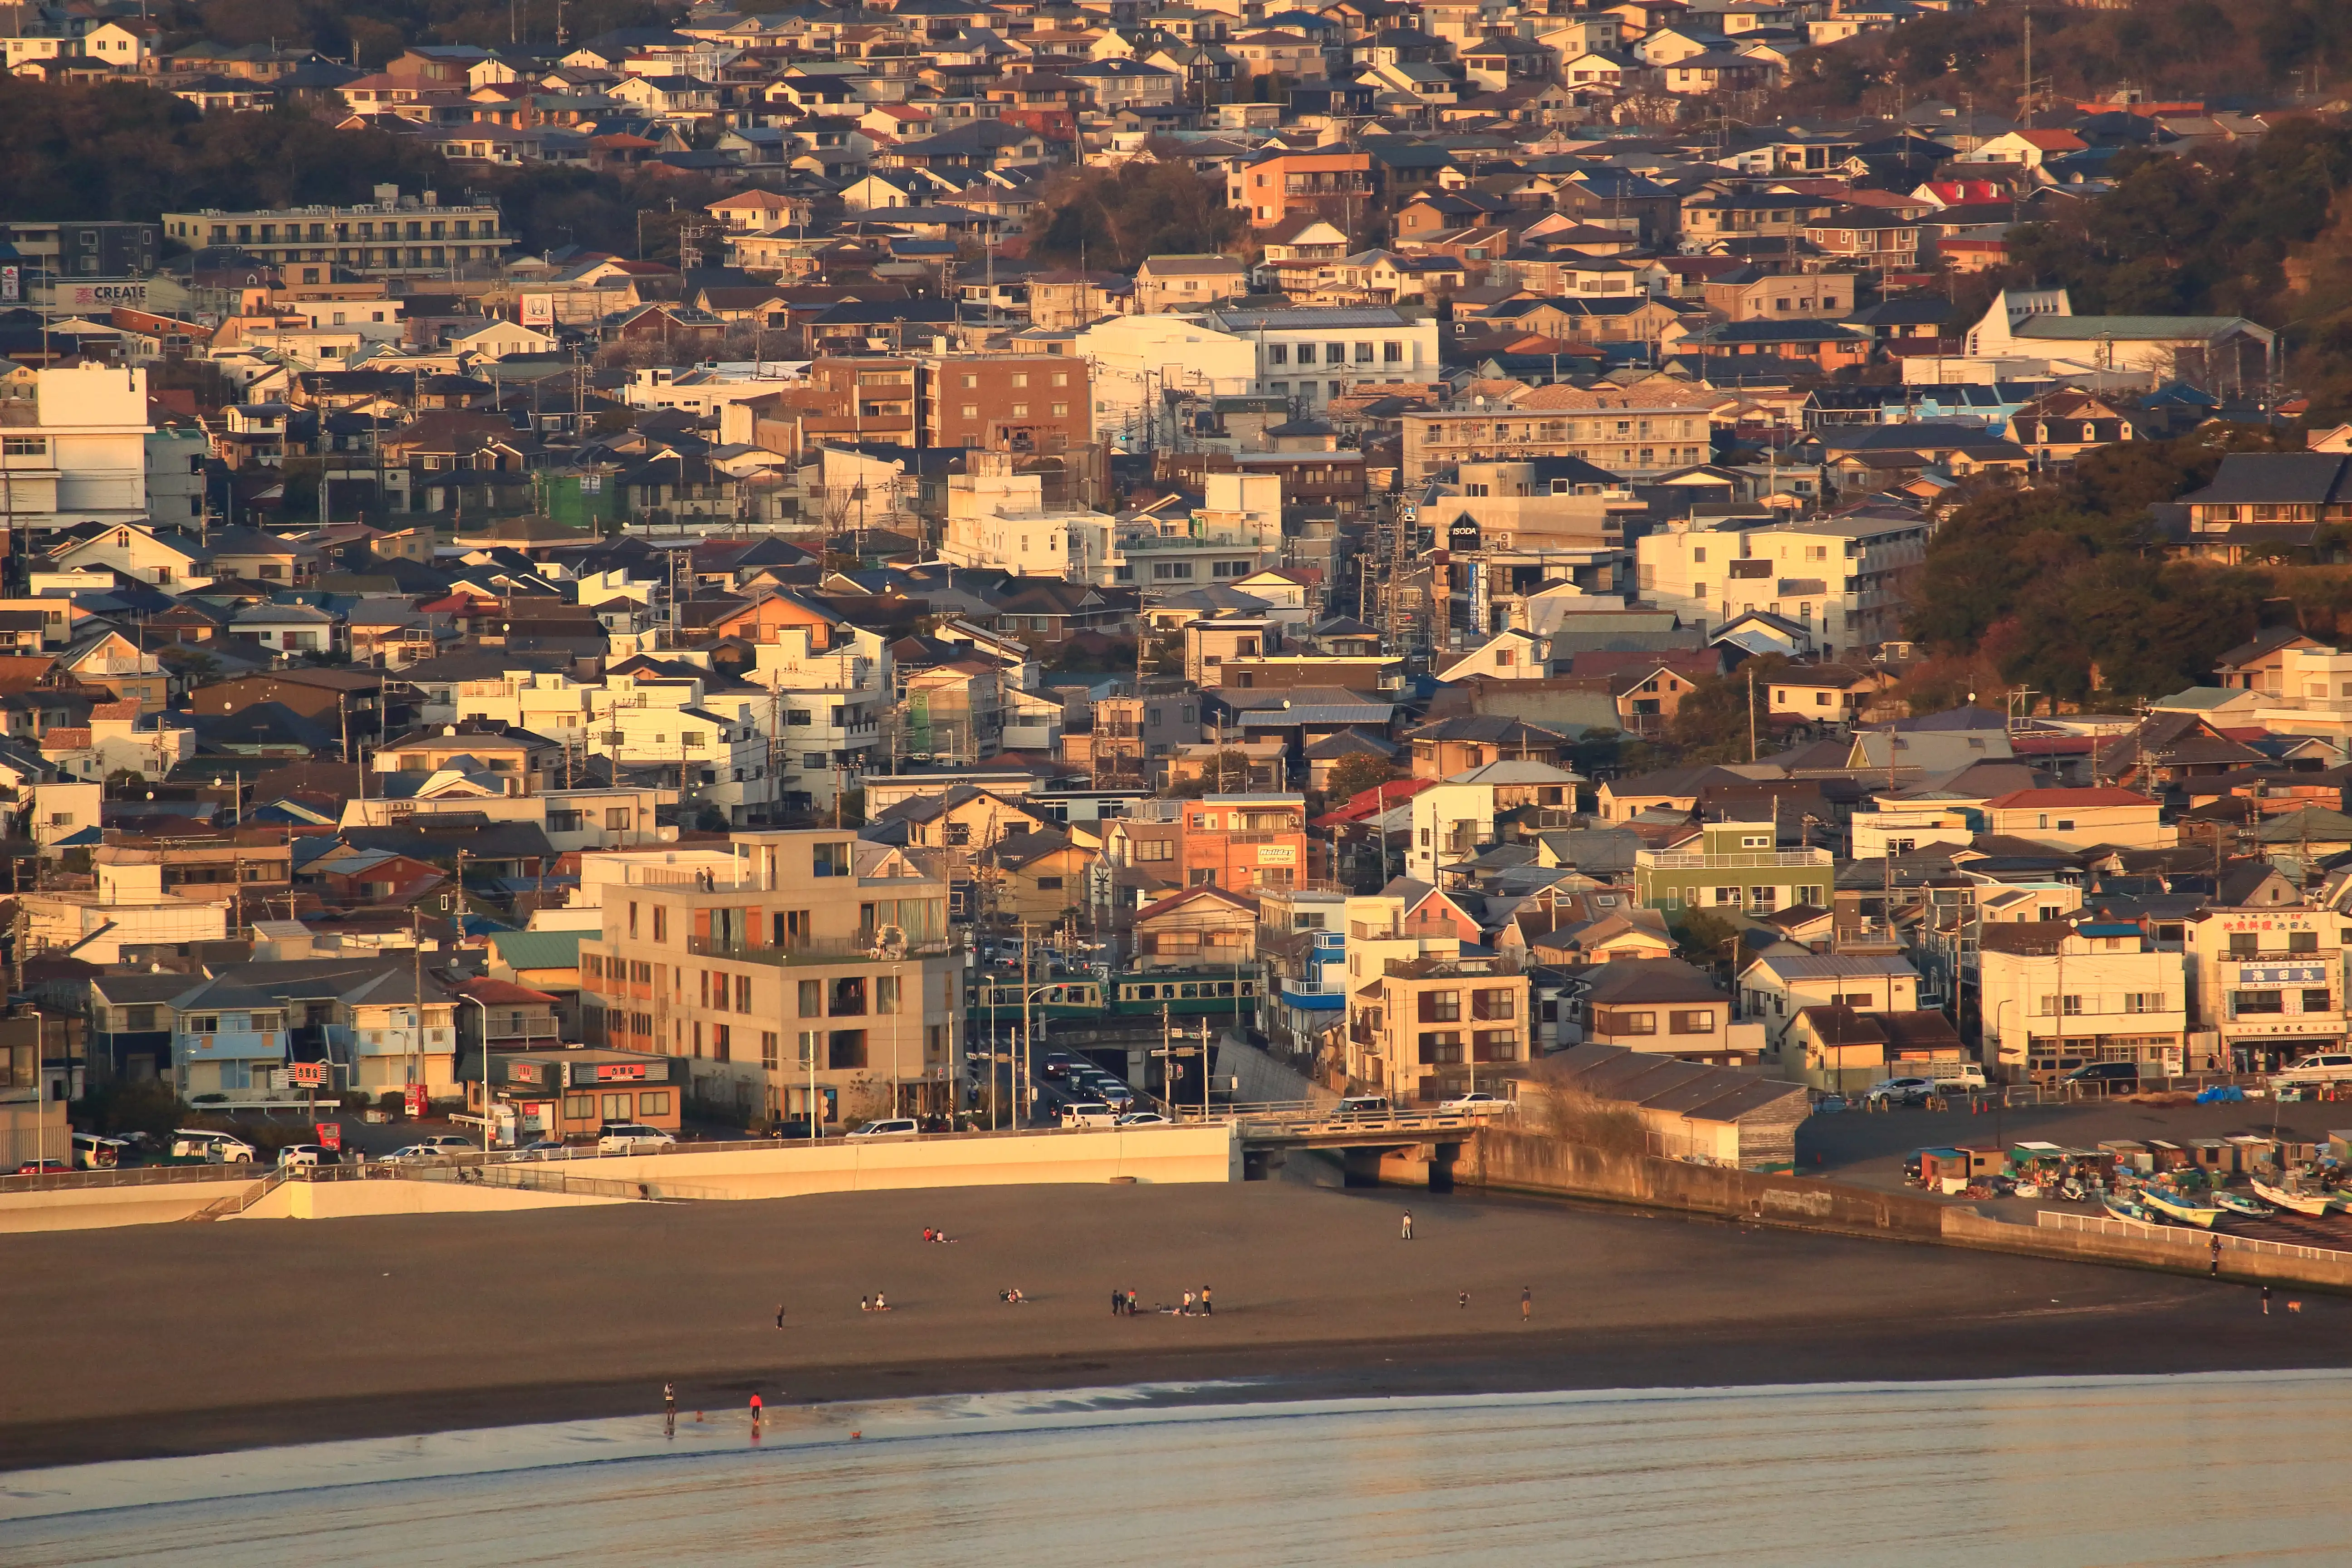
(76, 450)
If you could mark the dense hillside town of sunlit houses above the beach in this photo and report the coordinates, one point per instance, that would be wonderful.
(1292, 516)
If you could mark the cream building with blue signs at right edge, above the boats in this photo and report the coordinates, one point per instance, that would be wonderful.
(2266, 984)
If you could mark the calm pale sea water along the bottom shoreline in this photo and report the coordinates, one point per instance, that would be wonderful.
(2229, 1468)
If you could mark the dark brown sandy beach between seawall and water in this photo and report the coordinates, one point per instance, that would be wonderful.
(194, 1339)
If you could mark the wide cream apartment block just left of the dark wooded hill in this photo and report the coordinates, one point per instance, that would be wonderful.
(1840, 577)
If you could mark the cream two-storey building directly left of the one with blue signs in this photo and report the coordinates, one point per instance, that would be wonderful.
(2054, 996)
